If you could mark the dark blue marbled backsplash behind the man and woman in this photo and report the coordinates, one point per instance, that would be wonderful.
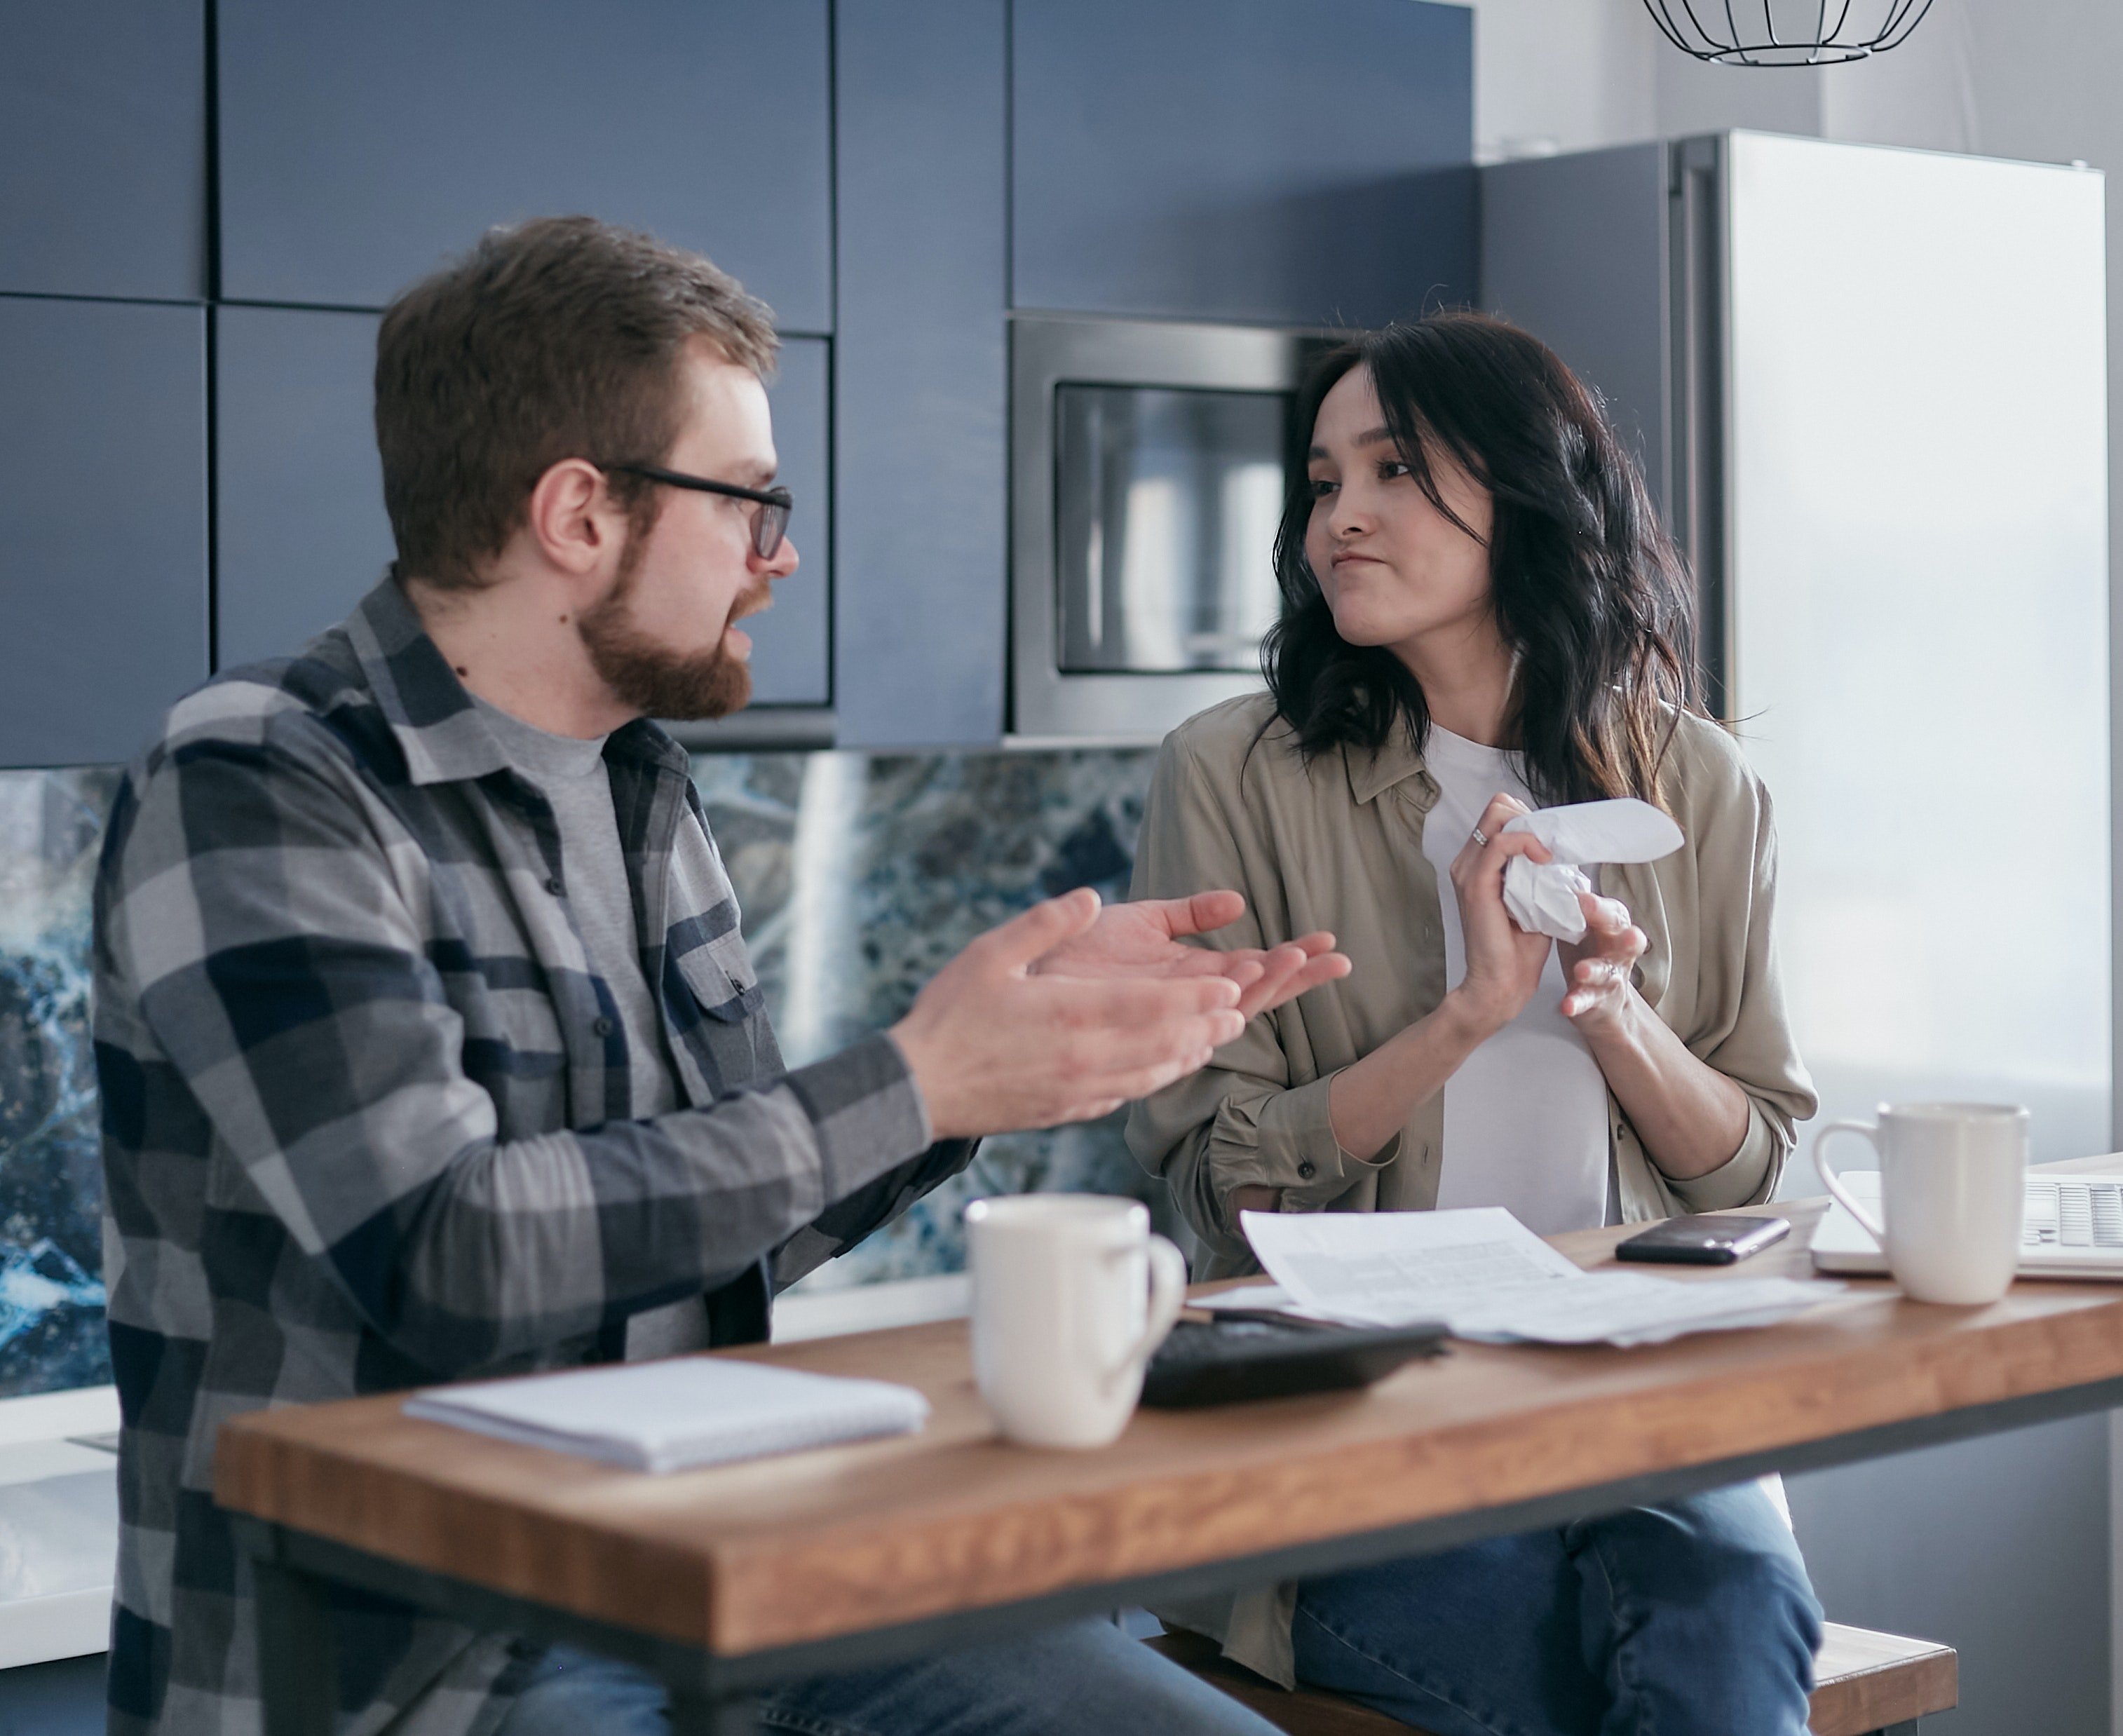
(859, 878)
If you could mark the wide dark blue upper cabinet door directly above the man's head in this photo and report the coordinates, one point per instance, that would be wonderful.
(364, 141)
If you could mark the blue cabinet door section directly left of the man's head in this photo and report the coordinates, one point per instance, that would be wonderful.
(300, 527)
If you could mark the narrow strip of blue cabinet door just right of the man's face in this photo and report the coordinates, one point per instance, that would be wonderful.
(789, 642)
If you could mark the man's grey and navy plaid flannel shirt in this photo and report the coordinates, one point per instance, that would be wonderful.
(366, 1122)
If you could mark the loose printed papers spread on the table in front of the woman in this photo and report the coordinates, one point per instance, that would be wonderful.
(1487, 1277)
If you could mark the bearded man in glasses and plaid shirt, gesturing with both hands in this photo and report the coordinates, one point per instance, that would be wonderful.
(428, 1041)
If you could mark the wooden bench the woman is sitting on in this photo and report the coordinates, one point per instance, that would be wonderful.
(1867, 1686)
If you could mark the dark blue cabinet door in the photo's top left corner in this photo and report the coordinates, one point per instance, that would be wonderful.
(103, 150)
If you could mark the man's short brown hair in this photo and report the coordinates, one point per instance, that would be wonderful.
(555, 338)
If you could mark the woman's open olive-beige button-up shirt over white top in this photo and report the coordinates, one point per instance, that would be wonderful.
(1339, 846)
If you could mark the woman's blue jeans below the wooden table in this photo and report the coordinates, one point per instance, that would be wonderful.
(1682, 1620)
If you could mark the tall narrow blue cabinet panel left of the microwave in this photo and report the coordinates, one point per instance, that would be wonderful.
(920, 436)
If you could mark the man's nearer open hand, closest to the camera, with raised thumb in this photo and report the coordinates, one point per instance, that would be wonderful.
(997, 1047)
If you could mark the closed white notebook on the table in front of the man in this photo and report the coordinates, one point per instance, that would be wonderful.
(668, 1417)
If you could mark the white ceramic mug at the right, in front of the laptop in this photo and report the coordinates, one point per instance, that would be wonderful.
(1952, 1192)
